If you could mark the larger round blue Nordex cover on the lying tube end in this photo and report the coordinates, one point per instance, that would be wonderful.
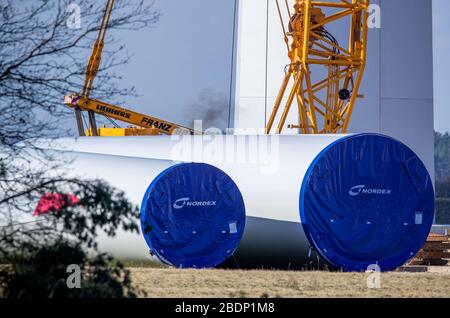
(367, 200)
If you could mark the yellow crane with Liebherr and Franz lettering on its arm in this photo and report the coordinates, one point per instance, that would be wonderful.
(143, 124)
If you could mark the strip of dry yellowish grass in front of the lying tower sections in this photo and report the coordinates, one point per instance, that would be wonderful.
(163, 282)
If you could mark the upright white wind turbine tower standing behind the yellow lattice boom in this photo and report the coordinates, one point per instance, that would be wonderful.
(398, 82)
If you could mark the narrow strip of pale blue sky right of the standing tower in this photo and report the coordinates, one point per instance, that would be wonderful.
(441, 25)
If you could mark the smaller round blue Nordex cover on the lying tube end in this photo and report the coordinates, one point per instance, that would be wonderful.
(193, 216)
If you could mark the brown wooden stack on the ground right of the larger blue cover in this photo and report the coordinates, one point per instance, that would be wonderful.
(436, 251)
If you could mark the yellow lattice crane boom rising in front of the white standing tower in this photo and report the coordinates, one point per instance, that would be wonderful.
(323, 77)
